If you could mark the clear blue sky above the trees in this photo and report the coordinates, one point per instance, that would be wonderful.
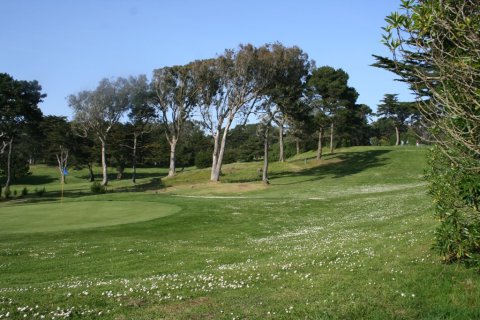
(69, 46)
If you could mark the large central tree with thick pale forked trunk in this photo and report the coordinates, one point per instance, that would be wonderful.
(228, 93)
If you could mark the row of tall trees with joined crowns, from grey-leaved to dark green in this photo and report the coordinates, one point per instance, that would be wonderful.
(277, 84)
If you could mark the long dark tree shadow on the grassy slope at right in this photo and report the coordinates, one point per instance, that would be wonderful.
(350, 163)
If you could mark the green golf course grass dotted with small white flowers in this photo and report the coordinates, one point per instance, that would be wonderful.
(347, 237)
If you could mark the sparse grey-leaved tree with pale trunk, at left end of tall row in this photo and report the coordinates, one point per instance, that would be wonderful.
(97, 111)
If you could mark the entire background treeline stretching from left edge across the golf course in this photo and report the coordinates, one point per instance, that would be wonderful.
(271, 100)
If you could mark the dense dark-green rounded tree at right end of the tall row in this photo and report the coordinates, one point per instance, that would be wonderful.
(331, 92)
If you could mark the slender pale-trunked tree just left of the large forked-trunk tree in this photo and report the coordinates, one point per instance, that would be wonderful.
(175, 97)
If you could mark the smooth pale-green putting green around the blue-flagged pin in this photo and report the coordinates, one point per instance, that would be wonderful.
(79, 215)
